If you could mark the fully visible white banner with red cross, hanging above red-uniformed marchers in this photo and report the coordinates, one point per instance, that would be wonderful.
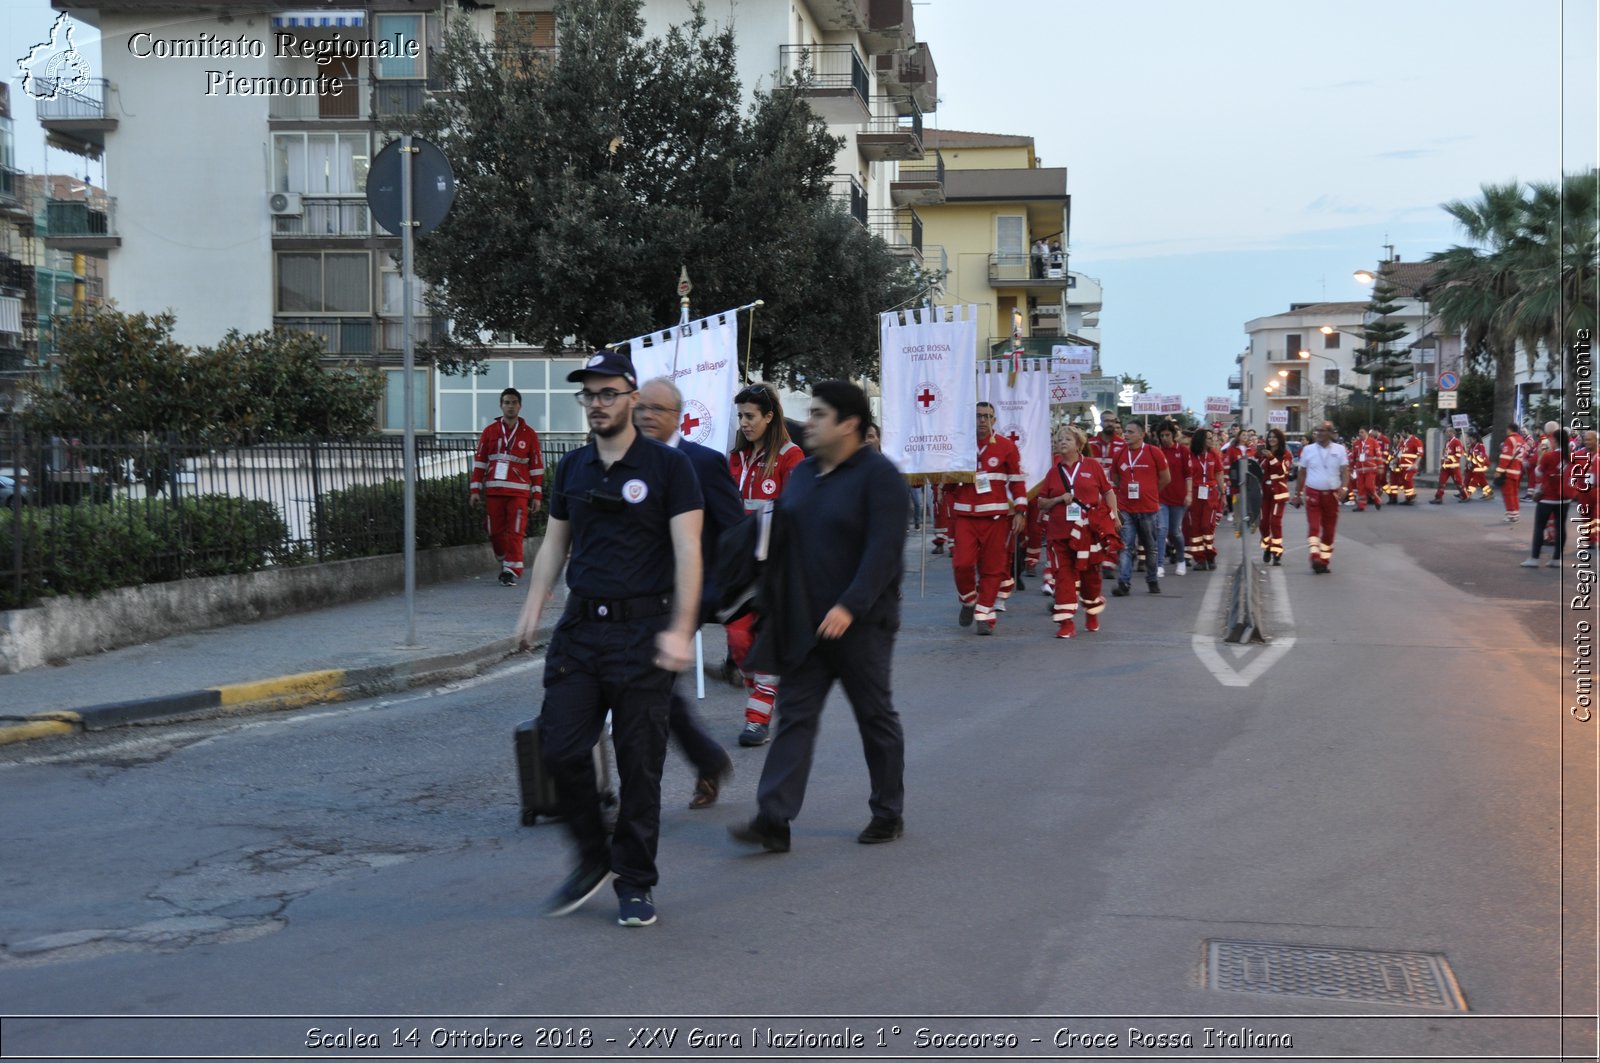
(929, 388)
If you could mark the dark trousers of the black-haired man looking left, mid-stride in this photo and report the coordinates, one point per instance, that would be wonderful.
(862, 662)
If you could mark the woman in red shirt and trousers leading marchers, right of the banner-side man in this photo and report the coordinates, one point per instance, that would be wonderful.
(1079, 508)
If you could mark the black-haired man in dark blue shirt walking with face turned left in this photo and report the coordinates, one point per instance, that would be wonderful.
(846, 511)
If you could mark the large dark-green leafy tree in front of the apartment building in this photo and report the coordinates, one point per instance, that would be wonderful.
(590, 177)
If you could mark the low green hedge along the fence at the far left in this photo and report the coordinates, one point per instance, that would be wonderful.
(90, 548)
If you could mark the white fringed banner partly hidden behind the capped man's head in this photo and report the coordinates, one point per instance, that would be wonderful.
(703, 361)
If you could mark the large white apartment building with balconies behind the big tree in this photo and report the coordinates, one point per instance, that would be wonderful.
(244, 211)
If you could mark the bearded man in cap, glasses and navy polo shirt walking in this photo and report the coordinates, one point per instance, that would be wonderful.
(630, 511)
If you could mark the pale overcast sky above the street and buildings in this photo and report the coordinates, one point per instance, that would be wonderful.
(1228, 159)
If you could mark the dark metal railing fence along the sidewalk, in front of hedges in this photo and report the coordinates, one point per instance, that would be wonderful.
(89, 515)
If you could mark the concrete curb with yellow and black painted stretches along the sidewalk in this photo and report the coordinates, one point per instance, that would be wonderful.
(265, 696)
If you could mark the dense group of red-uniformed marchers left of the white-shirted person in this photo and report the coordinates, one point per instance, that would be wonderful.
(1108, 507)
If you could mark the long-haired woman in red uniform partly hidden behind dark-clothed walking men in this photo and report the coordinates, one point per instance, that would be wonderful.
(761, 465)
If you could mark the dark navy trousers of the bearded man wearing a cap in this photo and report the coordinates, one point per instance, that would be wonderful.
(593, 667)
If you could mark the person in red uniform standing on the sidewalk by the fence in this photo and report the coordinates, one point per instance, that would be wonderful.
(508, 468)
